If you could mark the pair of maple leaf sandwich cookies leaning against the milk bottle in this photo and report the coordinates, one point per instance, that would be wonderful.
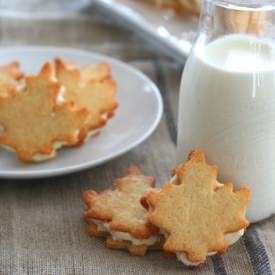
(190, 217)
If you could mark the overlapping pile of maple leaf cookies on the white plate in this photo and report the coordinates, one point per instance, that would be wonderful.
(62, 105)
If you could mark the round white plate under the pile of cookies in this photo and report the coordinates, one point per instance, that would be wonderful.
(139, 112)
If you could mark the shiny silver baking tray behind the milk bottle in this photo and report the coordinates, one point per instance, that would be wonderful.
(172, 34)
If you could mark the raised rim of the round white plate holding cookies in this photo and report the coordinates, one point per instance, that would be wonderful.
(79, 167)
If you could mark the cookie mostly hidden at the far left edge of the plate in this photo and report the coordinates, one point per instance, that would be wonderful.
(10, 76)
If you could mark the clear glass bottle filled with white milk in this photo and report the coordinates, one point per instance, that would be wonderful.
(227, 97)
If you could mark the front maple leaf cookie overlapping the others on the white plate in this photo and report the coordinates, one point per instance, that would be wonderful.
(34, 124)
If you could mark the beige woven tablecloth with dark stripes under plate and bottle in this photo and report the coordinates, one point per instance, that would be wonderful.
(41, 226)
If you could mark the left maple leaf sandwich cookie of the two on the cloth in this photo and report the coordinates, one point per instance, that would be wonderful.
(119, 216)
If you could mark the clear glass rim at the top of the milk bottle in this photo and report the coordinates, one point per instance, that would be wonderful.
(245, 4)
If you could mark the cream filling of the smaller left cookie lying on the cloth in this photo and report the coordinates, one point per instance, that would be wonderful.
(123, 236)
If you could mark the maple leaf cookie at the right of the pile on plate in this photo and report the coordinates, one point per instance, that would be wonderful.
(91, 87)
